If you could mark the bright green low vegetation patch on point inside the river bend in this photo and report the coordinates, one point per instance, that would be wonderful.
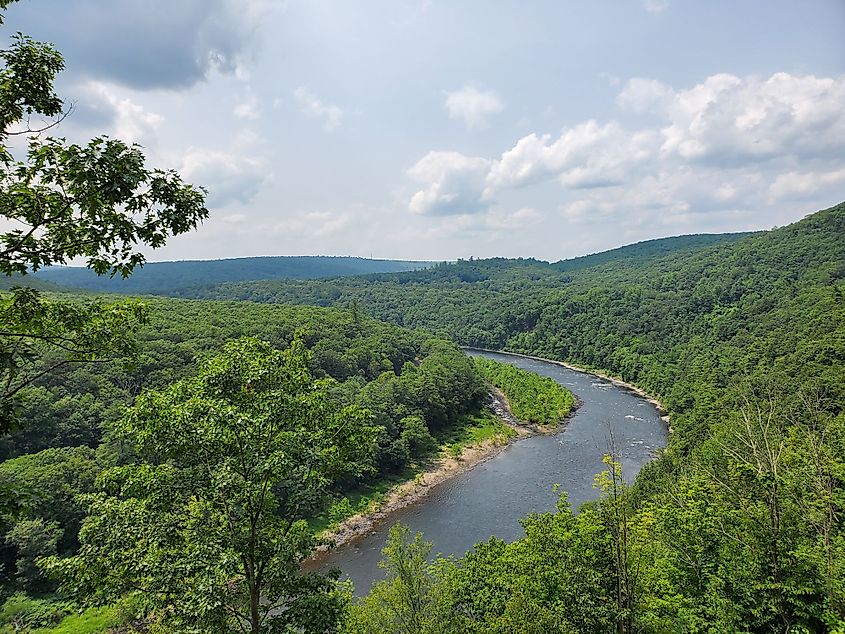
(533, 398)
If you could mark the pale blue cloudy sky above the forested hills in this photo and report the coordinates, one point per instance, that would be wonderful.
(436, 130)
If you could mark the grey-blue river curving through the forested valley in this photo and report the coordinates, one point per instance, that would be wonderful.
(491, 498)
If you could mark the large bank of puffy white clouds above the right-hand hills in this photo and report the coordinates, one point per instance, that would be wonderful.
(723, 146)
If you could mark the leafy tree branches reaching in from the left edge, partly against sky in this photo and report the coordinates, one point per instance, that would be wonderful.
(62, 201)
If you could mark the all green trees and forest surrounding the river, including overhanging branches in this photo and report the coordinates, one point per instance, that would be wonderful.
(169, 463)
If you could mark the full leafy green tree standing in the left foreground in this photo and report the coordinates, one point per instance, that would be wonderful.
(210, 531)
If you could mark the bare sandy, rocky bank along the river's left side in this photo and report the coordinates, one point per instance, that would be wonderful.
(441, 469)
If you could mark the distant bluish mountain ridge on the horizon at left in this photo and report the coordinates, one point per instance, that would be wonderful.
(165, 278)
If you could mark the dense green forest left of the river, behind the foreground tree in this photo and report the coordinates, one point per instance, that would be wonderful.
(412, 384)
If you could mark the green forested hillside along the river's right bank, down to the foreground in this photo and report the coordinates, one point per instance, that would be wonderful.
(738, 526)
